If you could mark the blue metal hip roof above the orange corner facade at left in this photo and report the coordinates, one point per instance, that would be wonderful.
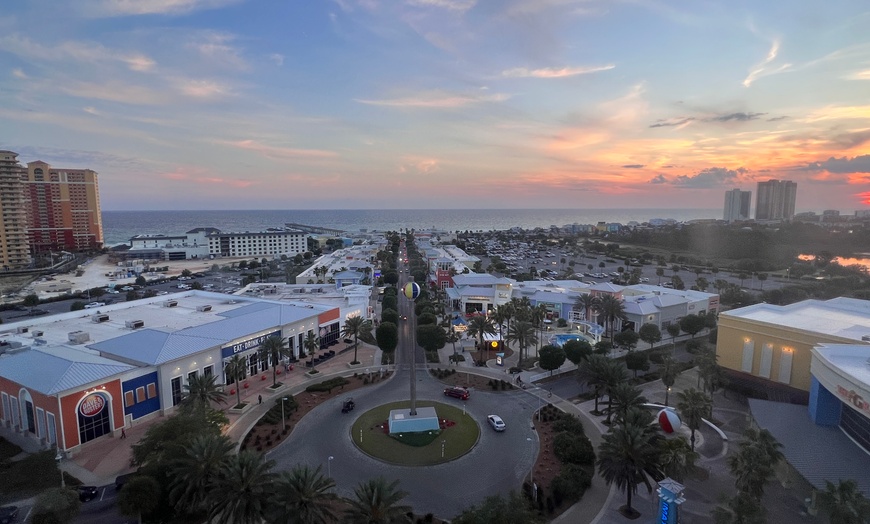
(62, 370)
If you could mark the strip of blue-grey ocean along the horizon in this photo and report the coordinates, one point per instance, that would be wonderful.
(119, 226)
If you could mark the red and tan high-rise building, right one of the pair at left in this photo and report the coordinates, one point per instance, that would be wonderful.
(63, 208)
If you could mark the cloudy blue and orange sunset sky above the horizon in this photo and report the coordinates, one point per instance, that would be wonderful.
(454, 104)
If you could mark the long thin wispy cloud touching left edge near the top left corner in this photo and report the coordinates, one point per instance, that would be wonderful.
(89, 52)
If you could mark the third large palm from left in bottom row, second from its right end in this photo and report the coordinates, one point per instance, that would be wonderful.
(303, 496)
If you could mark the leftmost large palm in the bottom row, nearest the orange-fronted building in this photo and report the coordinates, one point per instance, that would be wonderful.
(199, 467)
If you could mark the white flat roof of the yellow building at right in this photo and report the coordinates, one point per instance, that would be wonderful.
(841, 317)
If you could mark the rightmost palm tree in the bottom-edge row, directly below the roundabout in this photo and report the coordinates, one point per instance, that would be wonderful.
(376, 502)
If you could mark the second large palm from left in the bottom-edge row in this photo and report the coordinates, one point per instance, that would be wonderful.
(241, 492)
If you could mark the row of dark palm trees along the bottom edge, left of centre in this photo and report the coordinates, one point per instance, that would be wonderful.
(228, 488)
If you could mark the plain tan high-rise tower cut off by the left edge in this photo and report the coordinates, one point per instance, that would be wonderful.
(14, 248)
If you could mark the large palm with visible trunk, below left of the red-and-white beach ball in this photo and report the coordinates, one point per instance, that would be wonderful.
(623, 458)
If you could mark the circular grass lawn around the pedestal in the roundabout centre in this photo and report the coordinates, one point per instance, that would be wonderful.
(459, 438)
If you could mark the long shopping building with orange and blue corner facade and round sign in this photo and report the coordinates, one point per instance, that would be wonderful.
(76, 377)
